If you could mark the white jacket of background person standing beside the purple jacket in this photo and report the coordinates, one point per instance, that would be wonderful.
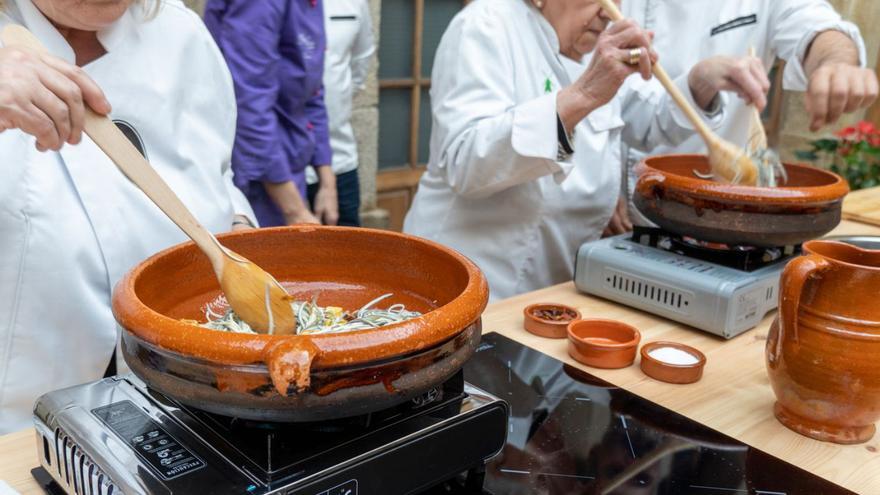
(349, 48)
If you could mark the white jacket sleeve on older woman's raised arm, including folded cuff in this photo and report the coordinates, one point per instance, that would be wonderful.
(484, 140)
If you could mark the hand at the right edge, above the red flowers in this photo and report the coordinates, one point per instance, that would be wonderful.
(835, 89)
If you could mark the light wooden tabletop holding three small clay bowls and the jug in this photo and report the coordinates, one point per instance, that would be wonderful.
(733, 397)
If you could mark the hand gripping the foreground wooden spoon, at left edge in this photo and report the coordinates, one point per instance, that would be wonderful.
(45, 96)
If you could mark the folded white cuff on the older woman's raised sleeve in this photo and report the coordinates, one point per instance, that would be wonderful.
(534, 134)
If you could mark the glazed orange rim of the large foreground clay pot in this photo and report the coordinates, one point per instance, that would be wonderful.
(334, 350)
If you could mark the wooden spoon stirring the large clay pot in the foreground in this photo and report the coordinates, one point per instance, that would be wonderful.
(253, 294)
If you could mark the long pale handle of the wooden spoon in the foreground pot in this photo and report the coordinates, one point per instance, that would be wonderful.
(129, 160)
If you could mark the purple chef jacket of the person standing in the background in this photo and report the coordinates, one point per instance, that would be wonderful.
(275, 51)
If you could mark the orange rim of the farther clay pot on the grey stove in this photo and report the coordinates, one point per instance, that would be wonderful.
(710, 190)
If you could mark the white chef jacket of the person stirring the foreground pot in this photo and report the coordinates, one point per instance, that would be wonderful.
(71, 224)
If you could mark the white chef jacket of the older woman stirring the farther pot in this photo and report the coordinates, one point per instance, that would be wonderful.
(494, 189)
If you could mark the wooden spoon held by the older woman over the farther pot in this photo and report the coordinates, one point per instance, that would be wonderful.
(727, 160)
